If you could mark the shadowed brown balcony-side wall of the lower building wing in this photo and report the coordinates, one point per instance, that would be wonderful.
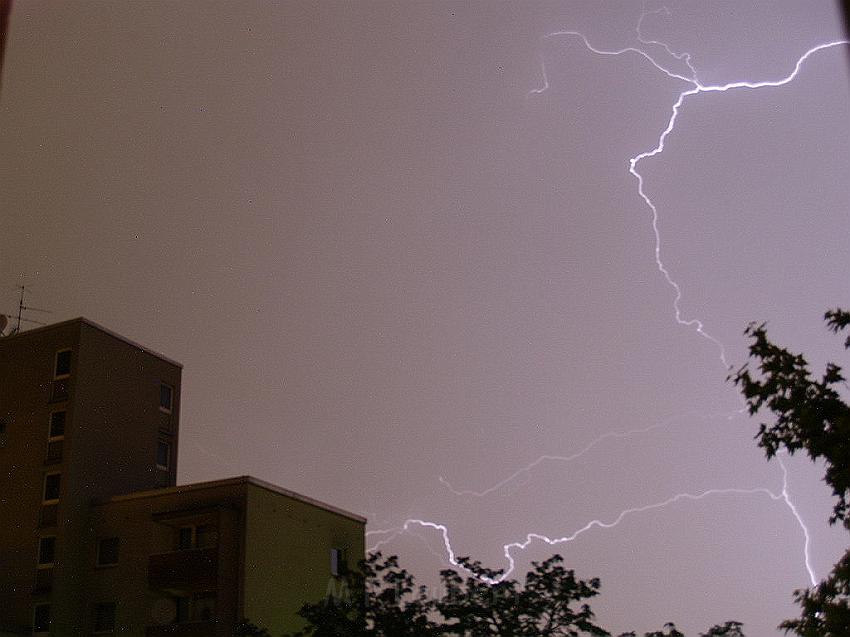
(151, 571)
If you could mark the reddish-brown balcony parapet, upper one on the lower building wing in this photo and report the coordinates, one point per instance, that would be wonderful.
(184, 571)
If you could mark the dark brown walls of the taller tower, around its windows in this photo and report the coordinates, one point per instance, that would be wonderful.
(112, 426)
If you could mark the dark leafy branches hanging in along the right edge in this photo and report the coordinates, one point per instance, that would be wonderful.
(808, 414)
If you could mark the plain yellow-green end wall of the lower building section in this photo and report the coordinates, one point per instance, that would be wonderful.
(287, 556)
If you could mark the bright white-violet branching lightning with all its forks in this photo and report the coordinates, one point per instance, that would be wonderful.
(695, 88)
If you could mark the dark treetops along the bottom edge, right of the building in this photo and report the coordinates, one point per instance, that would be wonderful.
(381, 599)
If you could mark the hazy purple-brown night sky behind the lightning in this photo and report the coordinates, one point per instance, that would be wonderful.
(399, 251)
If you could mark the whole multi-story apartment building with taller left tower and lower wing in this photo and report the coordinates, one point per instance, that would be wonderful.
(95, 535)
